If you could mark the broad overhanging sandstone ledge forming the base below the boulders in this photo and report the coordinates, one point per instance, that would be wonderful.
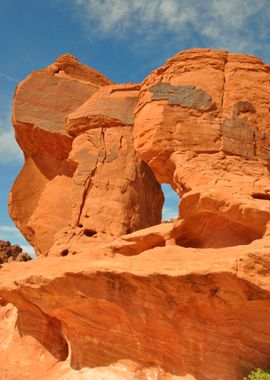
(167, 313)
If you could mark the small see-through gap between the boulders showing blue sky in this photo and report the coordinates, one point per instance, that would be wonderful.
(170, 206)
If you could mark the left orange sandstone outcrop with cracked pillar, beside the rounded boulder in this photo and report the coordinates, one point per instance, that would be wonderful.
(82, 173)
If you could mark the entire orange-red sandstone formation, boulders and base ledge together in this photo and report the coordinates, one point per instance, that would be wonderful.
(187, 299)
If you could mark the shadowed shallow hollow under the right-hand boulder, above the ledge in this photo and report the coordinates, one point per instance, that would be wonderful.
(214, 231)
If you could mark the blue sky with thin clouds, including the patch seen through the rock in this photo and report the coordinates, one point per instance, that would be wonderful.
(123, 39)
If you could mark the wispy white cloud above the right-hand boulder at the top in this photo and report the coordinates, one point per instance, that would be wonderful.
(235, 25)
